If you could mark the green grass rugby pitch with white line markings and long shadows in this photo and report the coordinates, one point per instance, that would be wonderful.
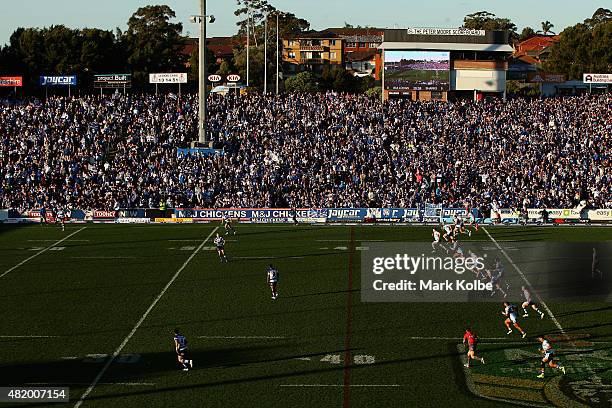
(68, 306)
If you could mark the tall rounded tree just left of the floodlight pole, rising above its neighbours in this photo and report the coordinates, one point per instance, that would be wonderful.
(152, 42)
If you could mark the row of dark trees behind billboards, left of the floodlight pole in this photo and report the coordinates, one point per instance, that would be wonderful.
(151, 43)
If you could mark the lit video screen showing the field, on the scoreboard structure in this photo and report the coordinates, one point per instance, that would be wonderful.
(417, 70)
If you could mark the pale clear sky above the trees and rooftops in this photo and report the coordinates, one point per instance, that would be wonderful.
(108, 14)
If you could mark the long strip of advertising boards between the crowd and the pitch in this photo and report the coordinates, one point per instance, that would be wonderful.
(428, 214)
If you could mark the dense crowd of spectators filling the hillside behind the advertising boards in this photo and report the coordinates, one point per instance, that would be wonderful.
(306, 150)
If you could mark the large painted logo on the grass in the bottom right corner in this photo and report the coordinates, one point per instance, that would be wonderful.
(510, 374)
